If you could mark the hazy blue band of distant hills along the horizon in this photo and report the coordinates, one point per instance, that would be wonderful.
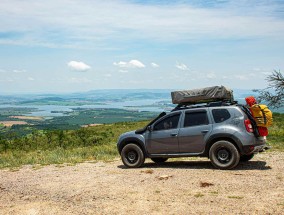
(107, 95)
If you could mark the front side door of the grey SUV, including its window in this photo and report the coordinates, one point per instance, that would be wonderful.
(163, 137)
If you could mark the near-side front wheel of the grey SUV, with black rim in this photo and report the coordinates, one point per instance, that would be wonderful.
(132, 156)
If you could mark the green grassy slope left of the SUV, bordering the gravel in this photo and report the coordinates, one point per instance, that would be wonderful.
(61, 147)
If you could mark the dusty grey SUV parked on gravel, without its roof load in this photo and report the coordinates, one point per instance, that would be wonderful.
(224, 134)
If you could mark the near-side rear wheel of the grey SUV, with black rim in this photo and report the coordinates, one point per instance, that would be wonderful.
(224, 155)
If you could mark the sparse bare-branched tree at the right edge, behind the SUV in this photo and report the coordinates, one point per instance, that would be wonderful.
(274, 93)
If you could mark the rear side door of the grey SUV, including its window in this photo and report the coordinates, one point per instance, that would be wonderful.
(194, 131)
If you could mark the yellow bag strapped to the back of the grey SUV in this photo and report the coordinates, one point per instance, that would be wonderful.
(262, 115)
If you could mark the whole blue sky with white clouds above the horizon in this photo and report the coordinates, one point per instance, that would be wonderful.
(62, 46)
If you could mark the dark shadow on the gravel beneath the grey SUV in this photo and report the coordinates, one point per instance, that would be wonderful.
(250, 165)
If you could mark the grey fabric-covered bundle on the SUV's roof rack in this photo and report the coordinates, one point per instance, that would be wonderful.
(203, 95)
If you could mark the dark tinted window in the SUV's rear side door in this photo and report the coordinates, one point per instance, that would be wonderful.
(195, 118)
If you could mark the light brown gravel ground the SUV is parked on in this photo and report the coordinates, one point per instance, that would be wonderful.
(189, 186)
